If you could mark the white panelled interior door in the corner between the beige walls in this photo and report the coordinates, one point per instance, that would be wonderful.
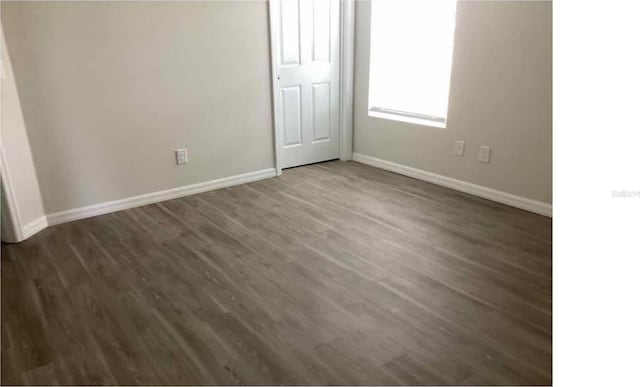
(306, 39)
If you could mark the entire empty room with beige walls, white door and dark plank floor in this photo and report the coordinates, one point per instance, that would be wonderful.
(282, 192)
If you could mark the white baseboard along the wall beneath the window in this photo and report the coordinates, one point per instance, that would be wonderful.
(459, 185)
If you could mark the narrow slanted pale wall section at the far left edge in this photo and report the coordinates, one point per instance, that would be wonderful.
(17, 154)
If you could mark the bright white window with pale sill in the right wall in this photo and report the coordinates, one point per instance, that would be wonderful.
(410, 60)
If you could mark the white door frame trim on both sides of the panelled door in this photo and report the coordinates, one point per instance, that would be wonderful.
(347, 35)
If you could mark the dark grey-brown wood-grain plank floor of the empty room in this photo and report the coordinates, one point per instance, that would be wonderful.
(334, 273)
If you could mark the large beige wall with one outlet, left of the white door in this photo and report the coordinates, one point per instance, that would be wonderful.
(110, 89)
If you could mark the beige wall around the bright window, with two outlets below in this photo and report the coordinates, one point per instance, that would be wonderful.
(500, 97)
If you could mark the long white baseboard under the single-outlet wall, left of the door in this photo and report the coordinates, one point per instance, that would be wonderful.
(155, 197)
